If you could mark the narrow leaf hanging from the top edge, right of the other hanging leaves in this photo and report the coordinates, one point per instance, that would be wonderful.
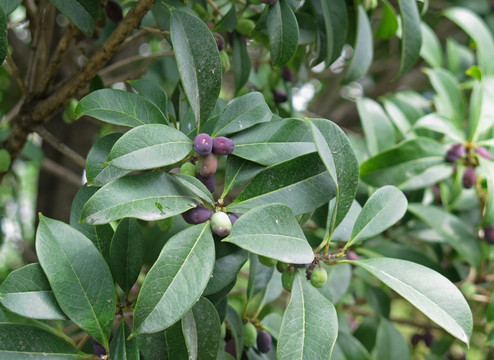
(411, 37)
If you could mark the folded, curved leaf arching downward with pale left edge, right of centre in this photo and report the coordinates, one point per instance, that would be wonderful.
(337, 154)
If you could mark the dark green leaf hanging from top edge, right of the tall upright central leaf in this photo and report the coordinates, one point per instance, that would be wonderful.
(283, 32)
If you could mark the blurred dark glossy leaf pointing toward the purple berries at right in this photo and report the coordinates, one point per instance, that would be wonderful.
(401, 163)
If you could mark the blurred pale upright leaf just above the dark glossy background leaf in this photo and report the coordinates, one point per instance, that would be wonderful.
(378, 130)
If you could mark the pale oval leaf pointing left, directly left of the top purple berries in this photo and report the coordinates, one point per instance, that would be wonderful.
(148, 147)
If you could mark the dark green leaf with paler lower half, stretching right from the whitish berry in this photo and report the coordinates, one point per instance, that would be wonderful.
(302, 183)
